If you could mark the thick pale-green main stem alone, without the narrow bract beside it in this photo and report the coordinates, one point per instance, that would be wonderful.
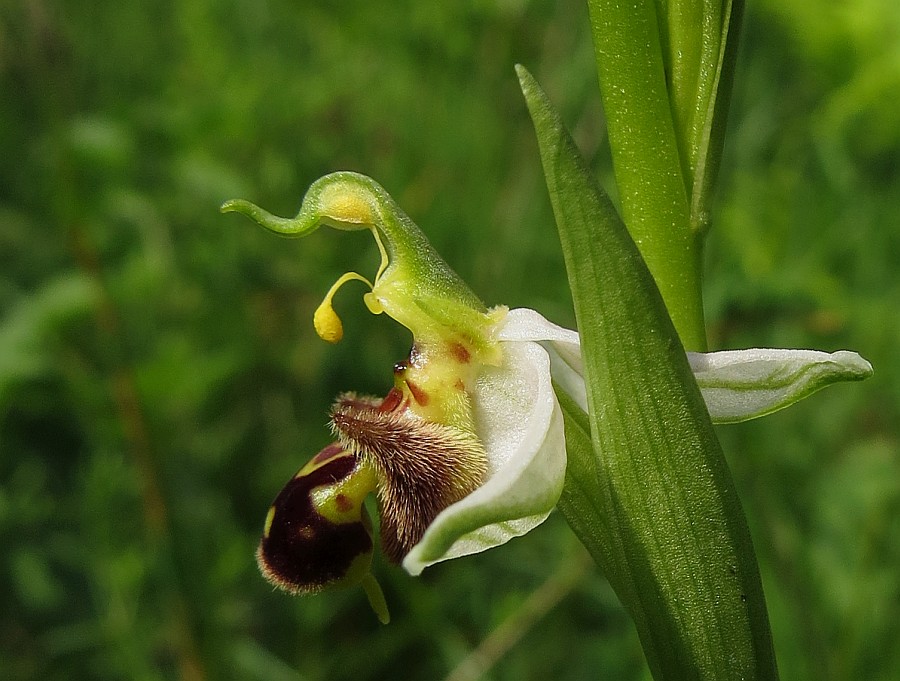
(646, 158)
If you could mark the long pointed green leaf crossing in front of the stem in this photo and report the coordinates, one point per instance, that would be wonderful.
(654, 501)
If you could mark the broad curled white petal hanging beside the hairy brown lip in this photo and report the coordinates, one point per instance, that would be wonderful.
(520, 423)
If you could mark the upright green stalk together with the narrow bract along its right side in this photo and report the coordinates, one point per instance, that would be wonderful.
(665, 71)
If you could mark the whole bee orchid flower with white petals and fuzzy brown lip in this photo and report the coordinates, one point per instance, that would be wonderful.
(467, 449)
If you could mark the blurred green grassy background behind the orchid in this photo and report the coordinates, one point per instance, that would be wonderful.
(160, 379)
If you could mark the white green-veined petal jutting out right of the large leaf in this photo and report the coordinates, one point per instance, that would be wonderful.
(742, 384)
